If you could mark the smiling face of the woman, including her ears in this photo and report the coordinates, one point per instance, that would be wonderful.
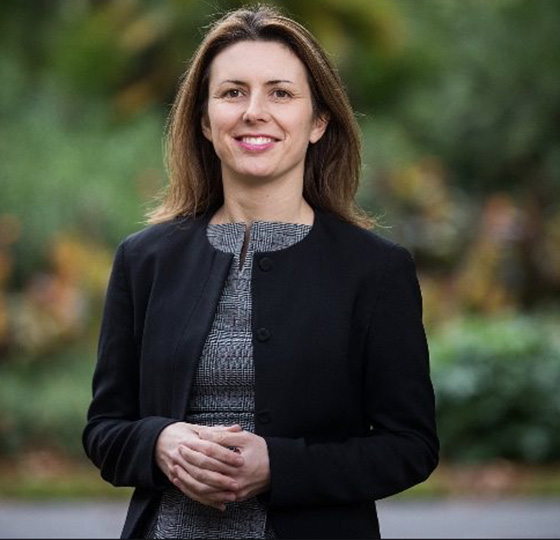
(260, 115)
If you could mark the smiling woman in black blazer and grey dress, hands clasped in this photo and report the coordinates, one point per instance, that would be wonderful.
(262, 368)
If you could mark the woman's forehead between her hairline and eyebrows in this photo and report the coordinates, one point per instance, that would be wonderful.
(249, 60)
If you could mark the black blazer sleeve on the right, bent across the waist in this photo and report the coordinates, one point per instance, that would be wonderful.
(401, 447)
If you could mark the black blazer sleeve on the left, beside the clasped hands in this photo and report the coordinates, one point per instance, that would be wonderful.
(116, 439)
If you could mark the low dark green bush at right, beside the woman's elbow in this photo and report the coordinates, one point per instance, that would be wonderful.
(497, 386)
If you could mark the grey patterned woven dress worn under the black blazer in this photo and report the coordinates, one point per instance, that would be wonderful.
(223, 389)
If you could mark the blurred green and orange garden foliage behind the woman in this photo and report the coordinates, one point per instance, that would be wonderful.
(459, 103)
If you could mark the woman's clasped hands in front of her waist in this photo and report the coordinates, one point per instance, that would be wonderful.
(201, 462)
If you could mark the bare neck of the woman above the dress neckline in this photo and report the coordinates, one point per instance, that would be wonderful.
(273, 201)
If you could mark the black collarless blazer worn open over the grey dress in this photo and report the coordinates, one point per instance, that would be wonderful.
(342, 389)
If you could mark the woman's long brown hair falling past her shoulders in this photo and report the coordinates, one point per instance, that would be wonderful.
(332, 166)
